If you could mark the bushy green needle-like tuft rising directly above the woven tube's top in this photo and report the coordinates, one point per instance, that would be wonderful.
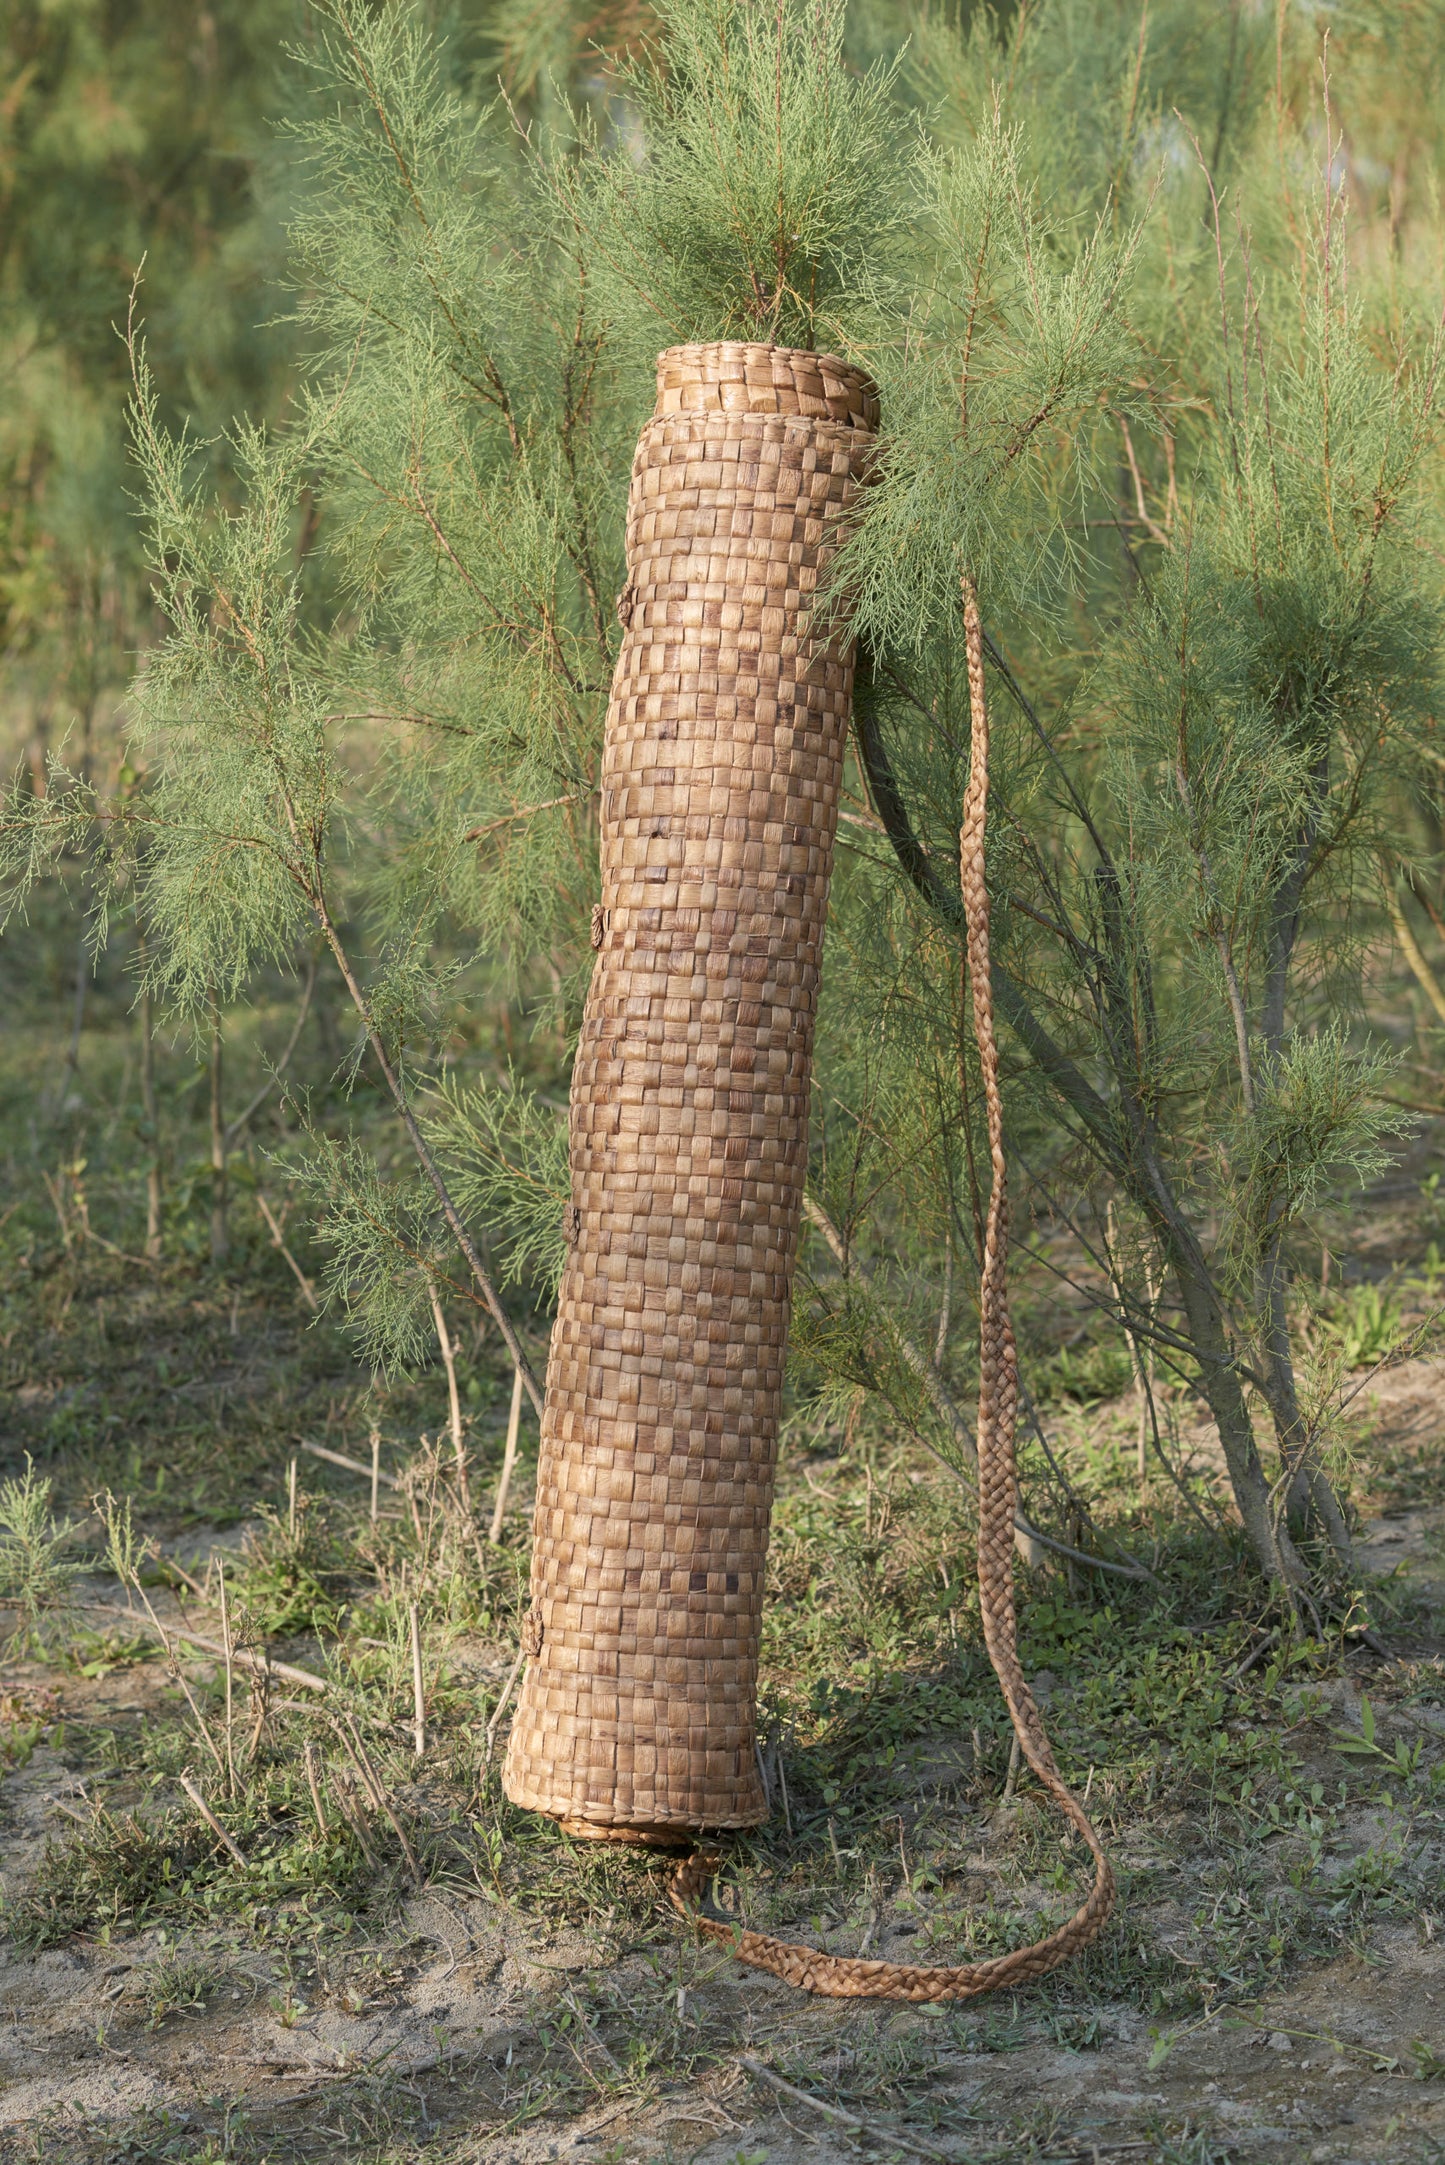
(759, 187)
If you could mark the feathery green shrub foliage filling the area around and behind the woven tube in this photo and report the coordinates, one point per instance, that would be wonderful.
(1186, 464)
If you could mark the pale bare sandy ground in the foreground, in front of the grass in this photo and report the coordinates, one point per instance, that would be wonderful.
(456, 2008)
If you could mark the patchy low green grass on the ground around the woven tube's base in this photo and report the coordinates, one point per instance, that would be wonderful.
(1227, 1800)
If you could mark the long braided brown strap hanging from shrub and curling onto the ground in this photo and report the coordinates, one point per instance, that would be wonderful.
(844, 1976)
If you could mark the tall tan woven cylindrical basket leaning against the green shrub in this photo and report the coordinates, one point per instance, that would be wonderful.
(690, 1103)
